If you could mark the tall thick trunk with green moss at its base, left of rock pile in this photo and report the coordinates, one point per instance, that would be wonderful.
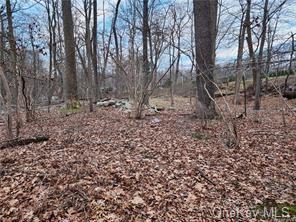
(71, 93)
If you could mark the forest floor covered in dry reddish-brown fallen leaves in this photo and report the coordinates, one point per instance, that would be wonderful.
(104, 166)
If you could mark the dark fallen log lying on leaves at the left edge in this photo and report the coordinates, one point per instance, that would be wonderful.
(22, 142)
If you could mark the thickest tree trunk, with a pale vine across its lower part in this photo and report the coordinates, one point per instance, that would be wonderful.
(205, 19)
